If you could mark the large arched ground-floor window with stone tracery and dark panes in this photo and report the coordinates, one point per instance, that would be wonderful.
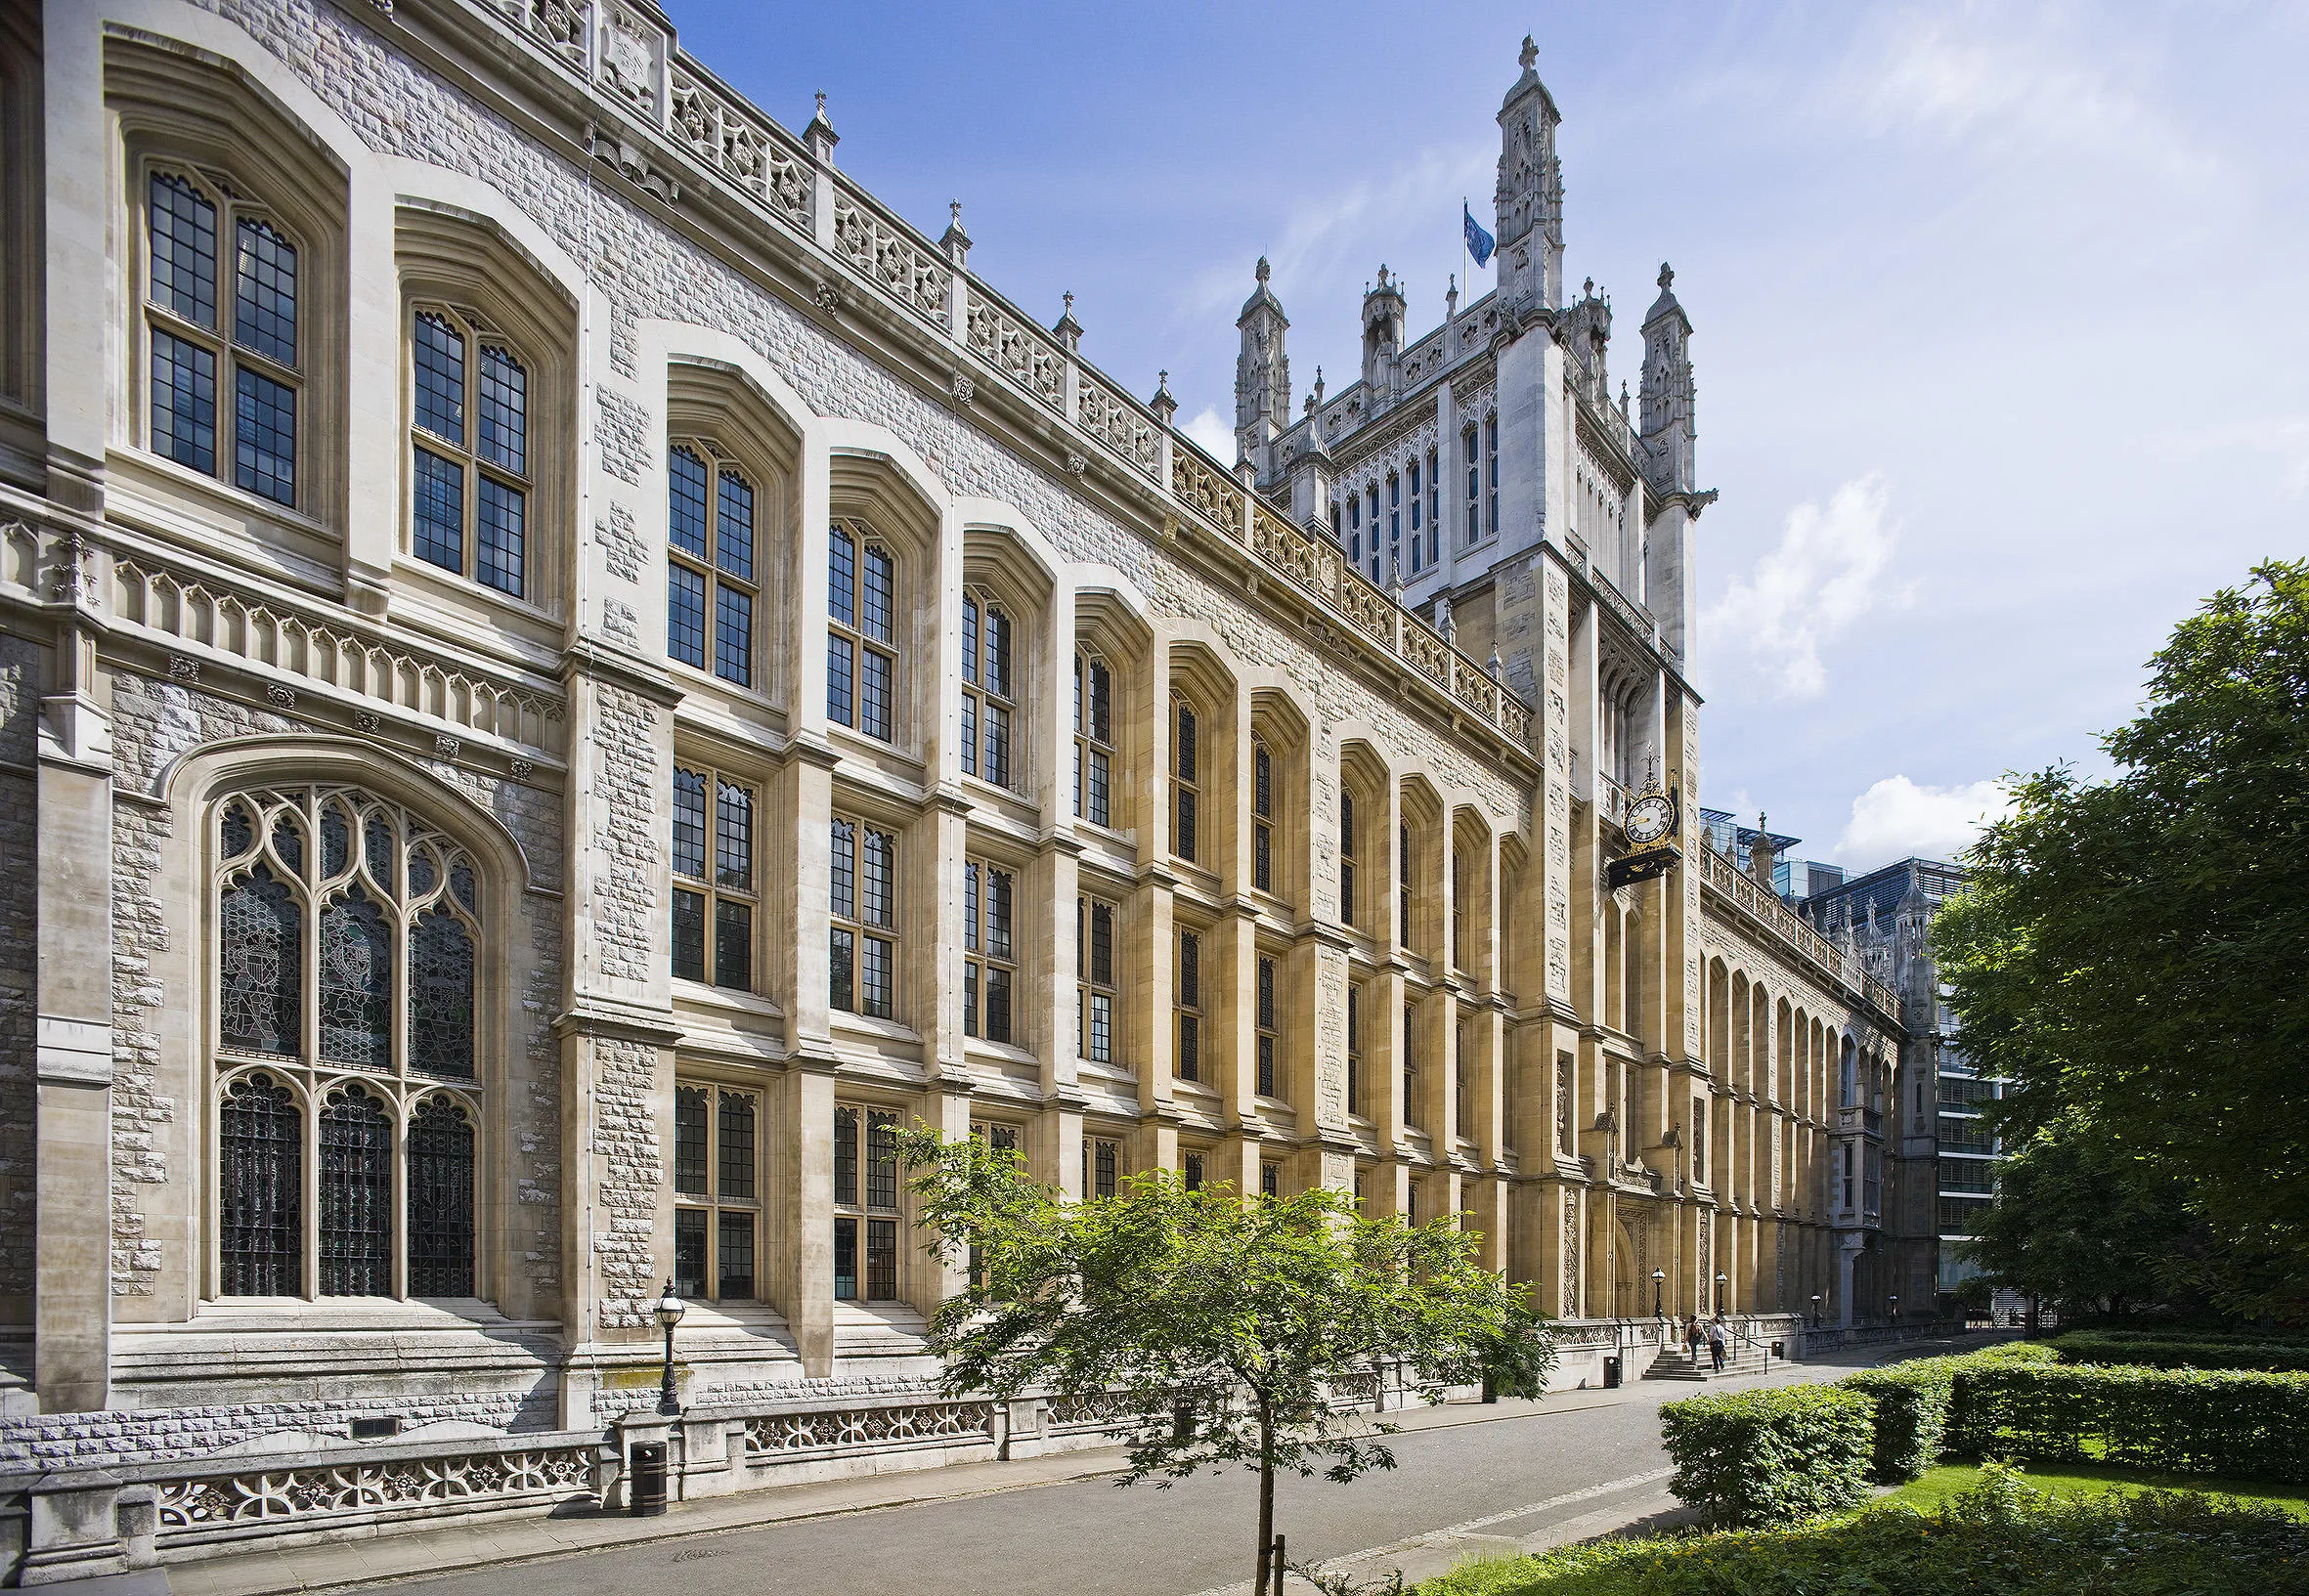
(345, 967)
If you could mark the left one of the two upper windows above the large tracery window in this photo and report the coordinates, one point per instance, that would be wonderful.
(214, 334)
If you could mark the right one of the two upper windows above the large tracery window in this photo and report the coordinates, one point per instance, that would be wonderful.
(470, 449)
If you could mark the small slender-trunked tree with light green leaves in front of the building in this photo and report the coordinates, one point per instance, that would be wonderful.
(1218, 1325)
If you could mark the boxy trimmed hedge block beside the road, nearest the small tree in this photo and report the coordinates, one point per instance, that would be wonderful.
(1761, 1459)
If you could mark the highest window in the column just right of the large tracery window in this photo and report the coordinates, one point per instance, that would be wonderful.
(710, 579)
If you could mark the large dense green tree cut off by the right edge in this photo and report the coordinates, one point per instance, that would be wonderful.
(2137, 950)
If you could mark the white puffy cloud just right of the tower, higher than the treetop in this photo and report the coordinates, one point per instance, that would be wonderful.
(1814, 588)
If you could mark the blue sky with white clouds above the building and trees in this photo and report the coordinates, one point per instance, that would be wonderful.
(1998, 334)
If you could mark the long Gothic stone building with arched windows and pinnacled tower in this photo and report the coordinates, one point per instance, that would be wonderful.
(565, 671)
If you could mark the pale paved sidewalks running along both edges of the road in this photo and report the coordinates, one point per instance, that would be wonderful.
(345, 1565)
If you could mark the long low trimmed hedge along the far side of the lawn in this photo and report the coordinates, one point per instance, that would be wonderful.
(2181, 1422)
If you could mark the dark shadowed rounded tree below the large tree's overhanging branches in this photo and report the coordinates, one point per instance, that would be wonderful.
(2082, 1223)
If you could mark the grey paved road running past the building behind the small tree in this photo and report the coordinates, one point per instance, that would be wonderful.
(1523, 1472)
